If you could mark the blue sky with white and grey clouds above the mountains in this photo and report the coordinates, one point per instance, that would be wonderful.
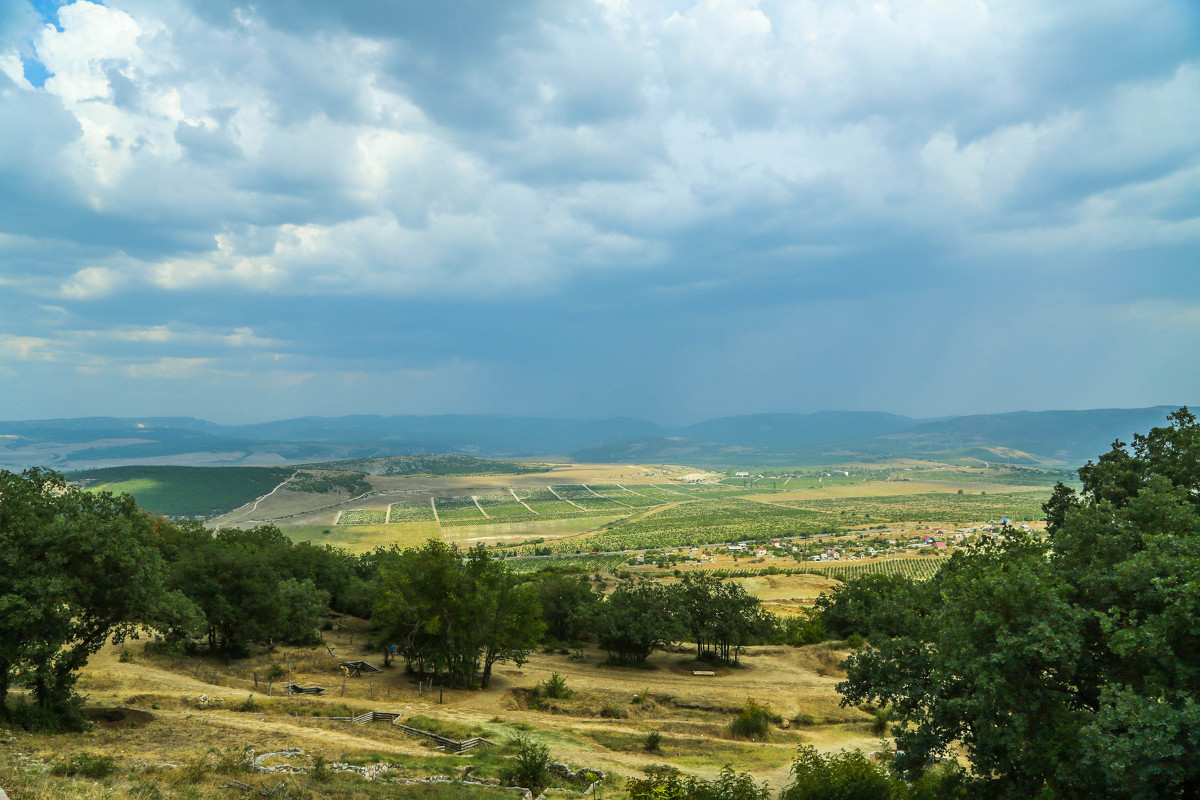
(670, 210)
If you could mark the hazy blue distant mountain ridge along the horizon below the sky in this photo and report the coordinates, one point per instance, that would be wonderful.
(1051, 438)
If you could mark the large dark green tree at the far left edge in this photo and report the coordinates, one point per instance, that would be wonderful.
(76, 570)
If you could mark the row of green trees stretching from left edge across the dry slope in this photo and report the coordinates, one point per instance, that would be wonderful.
(79, 569)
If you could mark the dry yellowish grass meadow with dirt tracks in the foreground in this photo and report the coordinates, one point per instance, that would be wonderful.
(177, 727)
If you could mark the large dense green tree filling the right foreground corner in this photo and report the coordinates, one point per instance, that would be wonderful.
(1066, 666)
